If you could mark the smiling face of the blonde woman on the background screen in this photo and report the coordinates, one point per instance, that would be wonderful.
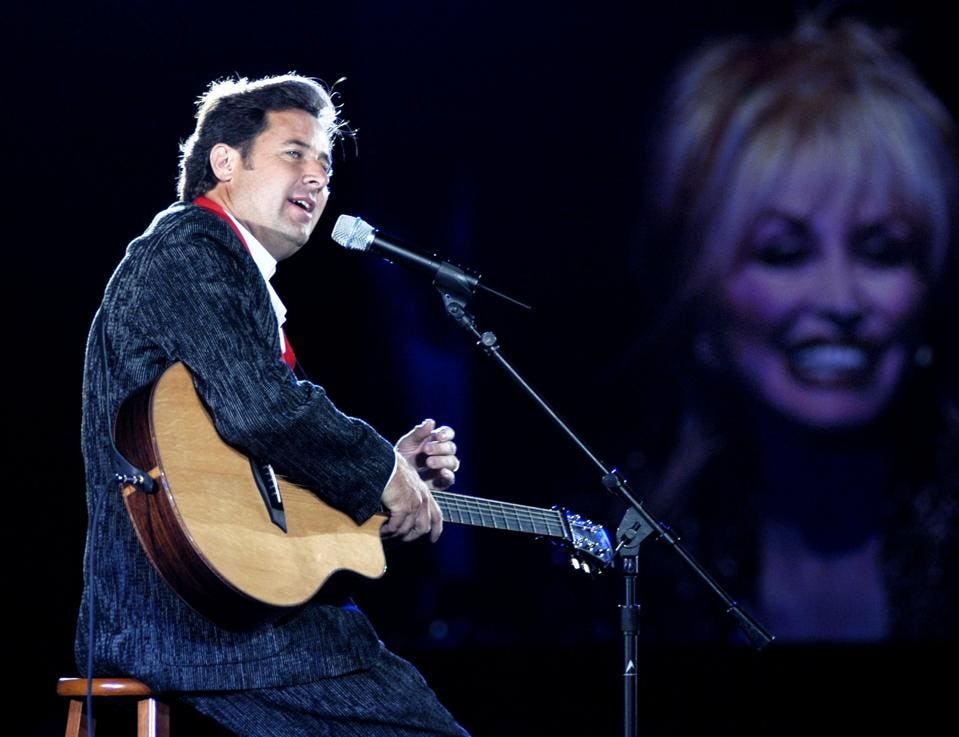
(817, 313)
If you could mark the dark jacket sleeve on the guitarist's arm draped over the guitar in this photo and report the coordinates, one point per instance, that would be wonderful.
(209, 308)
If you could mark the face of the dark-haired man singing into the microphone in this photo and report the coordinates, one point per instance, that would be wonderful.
(280, 189)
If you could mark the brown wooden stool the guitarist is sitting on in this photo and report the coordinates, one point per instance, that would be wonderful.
(153, 715)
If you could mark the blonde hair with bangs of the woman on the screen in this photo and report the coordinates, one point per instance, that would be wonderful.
(836, 102)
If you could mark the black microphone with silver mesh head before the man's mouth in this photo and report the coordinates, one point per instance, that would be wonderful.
(356, 234)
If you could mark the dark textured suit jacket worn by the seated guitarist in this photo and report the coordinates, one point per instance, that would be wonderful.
(187, 290)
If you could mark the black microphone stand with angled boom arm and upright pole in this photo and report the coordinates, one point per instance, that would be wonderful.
(456, 288)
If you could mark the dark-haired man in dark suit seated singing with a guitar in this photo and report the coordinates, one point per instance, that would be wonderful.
(194, 288)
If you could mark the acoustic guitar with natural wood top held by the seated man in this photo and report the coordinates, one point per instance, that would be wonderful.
(241, 545)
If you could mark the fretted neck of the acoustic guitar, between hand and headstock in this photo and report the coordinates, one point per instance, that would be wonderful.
(469, 510)
